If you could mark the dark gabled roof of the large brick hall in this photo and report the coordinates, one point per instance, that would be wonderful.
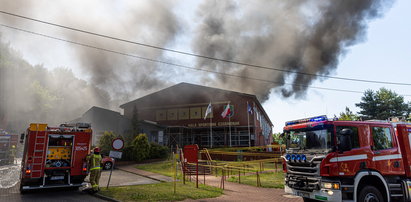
(169, 95)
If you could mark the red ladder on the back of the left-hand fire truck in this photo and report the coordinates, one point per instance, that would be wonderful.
(39, 150)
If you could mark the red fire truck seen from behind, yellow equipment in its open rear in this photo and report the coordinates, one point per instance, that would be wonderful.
(55, 156)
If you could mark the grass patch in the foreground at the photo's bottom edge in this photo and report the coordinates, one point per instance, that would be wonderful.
(161, 192)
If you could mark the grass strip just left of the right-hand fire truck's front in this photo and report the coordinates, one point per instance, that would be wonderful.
(268, 180)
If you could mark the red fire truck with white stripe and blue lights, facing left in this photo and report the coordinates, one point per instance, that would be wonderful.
(331, 160)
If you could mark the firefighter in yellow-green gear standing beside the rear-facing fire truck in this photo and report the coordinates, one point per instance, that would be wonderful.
(94, 165)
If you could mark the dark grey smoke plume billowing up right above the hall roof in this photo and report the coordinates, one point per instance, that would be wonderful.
(304, 36)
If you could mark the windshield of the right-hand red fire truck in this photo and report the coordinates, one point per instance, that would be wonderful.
(310, 139)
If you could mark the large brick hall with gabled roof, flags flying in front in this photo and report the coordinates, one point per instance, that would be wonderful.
(181, 110)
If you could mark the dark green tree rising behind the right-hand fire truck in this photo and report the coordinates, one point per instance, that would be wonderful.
(382, 105)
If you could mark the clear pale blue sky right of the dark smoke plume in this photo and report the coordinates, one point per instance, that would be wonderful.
(384, 55)
